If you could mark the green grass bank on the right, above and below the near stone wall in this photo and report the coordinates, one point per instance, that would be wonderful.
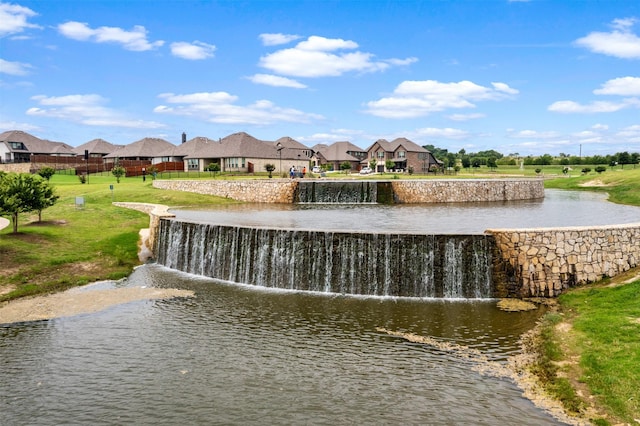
(590, 349)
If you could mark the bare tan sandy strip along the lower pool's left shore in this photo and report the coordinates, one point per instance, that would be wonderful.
(82, 300)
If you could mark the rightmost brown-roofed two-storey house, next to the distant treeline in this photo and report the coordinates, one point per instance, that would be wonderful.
(403, 153)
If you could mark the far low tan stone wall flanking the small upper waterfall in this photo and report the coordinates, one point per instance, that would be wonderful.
(404, 191)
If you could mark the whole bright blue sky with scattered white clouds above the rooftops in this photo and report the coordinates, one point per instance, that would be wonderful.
(527, 77)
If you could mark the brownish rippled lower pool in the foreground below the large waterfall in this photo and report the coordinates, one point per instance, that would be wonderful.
(237, 355)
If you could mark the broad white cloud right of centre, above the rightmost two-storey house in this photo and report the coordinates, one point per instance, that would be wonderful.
(412, 99)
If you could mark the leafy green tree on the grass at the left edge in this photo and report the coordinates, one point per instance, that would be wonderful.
(22, 193)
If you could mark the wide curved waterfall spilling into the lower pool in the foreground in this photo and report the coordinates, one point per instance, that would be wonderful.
(412, 265)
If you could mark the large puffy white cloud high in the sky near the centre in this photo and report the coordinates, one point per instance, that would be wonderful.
(324, 57)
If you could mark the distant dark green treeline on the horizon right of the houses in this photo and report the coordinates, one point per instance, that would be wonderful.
(493, 158)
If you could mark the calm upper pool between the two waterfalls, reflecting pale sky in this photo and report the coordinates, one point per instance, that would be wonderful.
(557, 209)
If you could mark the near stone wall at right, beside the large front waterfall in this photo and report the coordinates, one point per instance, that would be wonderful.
(546, 261)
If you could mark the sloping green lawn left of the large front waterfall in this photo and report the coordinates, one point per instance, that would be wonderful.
(75, 246)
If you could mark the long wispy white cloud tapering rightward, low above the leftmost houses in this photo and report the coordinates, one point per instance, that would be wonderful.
(85, 109)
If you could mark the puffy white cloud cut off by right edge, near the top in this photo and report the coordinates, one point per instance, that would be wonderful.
(620, 42)
